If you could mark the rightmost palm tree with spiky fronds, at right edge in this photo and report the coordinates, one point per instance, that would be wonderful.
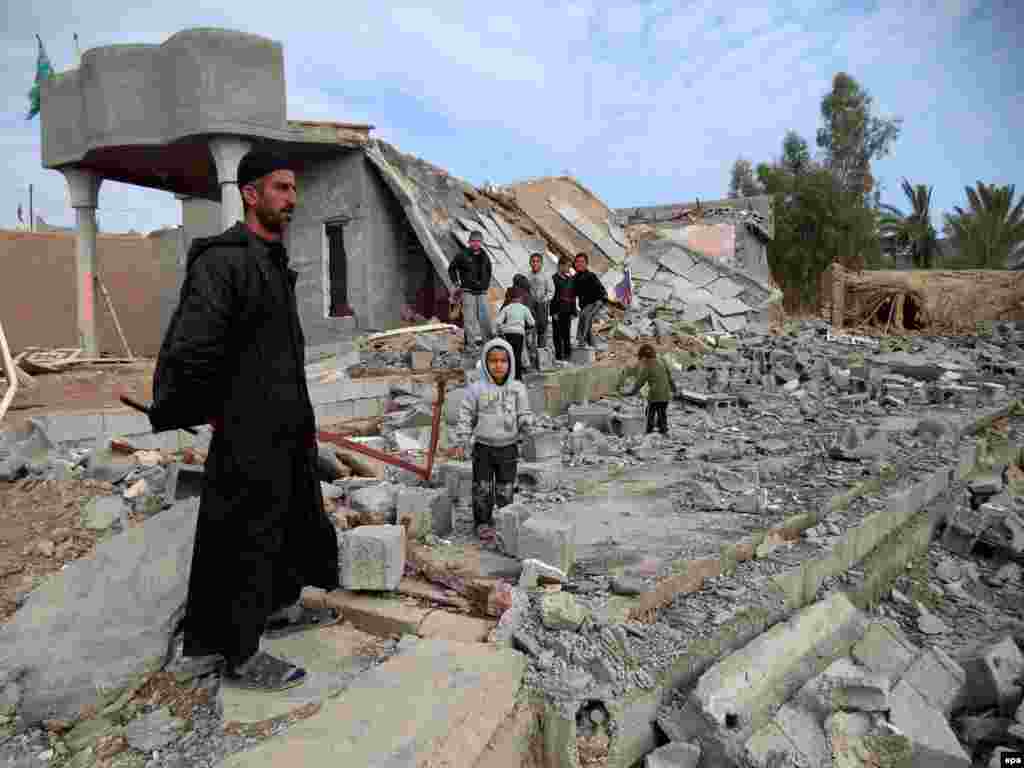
(992, 231)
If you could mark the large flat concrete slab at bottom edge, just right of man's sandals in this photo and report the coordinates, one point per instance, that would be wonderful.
(437, 703)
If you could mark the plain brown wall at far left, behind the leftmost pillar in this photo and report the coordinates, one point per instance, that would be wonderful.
(37, 291)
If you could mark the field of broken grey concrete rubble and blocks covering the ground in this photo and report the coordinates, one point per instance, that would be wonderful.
(624, 553)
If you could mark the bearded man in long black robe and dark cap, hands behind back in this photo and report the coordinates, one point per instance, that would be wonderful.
(234, 357)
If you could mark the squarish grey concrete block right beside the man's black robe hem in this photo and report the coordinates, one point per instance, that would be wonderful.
(373, 558)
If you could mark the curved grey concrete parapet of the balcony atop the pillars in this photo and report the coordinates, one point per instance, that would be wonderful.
(199, 81)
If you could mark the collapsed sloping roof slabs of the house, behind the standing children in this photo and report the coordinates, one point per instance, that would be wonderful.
(559, 217)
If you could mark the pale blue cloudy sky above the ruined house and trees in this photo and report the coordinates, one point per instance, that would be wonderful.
(644, 103)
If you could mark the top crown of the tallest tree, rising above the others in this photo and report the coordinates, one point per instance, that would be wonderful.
(852, 137)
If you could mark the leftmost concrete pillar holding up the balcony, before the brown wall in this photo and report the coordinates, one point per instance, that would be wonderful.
(83, 188)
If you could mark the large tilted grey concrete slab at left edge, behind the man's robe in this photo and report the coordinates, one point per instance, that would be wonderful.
(104, 621)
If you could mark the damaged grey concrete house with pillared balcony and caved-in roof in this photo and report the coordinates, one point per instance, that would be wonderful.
(375, 229)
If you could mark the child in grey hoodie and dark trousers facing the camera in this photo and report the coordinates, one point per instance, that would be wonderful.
(493, 416)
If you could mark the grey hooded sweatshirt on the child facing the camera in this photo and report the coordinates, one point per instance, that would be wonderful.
(491, 414)
